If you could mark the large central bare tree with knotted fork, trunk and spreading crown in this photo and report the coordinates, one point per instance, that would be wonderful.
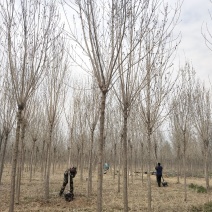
(103, 29)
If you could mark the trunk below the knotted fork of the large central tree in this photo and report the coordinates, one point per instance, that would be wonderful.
(100, 152)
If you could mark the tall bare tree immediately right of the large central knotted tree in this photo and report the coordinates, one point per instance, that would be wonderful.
(130, 75)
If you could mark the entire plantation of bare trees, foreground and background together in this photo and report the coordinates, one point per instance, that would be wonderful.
(133, 109)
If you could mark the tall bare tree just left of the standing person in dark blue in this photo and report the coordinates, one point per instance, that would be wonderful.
(160, 47)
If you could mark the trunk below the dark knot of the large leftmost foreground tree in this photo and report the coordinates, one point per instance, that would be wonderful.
(14, 159)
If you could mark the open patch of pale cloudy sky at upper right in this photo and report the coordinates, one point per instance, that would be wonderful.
(194, 15)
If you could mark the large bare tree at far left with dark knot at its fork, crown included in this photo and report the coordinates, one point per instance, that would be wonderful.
(29, 27)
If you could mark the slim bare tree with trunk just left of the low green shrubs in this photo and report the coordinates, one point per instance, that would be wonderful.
(182, 112)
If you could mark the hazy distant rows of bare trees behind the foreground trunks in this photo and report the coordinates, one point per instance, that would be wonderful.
(168, 145)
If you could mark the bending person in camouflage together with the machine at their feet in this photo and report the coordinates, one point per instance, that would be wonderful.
(68, 174)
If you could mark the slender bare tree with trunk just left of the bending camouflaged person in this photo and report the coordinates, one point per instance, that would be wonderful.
(54, 96)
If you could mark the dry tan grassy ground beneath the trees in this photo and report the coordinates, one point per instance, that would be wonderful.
(164, 199)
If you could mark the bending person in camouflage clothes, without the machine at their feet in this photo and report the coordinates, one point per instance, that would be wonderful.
(71, 172)
